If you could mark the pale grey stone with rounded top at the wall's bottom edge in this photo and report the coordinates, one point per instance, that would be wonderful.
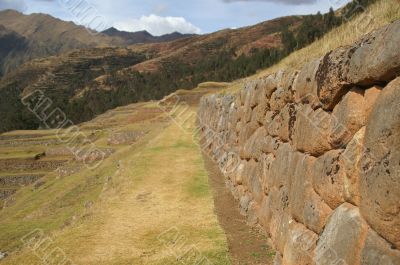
(343, 237)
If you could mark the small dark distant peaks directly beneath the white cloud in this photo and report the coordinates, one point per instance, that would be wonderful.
(143, 36)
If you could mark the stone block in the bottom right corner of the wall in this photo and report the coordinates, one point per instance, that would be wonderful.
(376, 251)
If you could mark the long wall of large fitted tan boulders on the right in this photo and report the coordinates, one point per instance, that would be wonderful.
(313, 156)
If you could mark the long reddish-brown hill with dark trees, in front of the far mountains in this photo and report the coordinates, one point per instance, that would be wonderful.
(90, 81)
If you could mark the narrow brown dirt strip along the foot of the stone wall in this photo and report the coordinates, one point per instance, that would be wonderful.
(246, 245)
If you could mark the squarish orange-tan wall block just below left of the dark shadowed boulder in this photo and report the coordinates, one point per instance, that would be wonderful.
(312, 130)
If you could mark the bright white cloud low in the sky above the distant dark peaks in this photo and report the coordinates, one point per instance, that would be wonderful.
(158, 25)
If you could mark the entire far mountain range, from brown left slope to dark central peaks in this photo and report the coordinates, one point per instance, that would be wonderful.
(44, 35)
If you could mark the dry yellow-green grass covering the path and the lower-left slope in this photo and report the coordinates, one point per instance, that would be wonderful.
(115, 214)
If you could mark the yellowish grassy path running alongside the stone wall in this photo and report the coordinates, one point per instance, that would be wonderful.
(164, 192)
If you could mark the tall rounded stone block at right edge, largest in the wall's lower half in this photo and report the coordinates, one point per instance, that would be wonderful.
(380, 165)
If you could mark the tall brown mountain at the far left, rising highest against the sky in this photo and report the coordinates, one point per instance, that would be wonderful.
(39, 36)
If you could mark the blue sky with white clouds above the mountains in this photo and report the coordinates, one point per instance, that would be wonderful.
(165, 16)
